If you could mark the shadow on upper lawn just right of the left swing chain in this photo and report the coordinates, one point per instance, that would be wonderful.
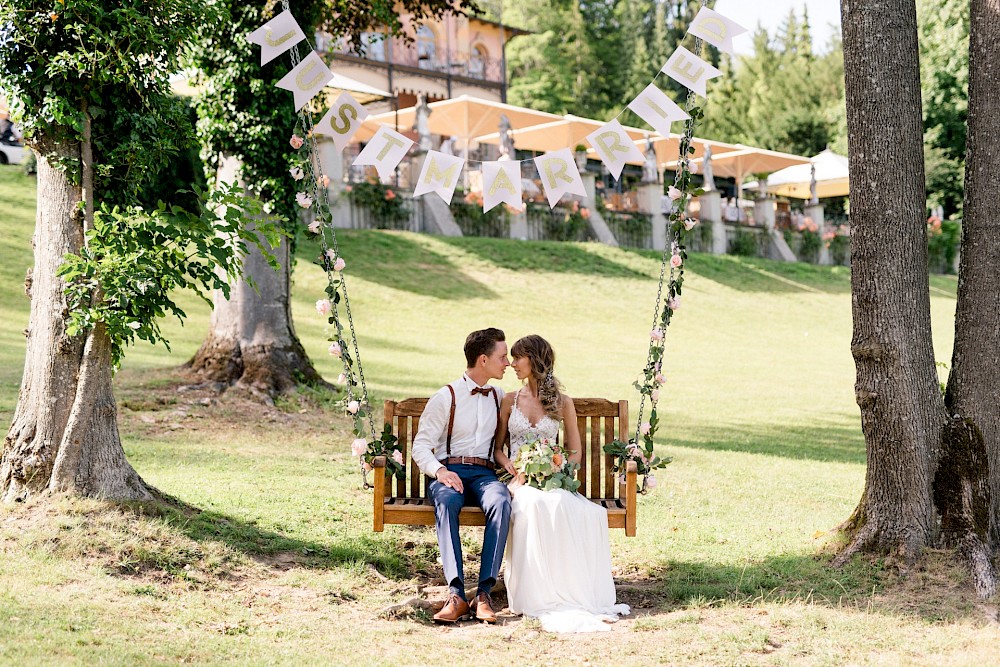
(400, 262)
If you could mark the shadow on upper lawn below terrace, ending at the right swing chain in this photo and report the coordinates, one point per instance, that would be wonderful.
(553, 256)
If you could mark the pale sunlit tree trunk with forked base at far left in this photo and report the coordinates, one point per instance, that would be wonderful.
(65, 417)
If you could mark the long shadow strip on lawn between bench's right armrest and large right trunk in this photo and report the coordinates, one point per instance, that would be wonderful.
(820, 441)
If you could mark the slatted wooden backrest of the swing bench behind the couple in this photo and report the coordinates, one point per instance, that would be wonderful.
(600, 421)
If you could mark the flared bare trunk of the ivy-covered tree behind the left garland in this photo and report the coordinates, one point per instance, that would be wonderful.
(251, 342)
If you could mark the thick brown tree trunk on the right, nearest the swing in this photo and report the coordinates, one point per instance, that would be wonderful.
(902, 412)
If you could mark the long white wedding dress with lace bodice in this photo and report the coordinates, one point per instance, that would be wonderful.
(558, 555)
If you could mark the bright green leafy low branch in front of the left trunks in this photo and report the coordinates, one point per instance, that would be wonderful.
(134, 260)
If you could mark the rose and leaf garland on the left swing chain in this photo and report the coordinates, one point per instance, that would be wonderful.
(315, 197)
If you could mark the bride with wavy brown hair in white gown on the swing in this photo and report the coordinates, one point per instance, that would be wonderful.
(558, 557)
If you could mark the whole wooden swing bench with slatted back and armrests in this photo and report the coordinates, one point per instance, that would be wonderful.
(600, 421)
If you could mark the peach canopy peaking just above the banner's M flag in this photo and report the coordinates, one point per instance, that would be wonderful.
(462, 117)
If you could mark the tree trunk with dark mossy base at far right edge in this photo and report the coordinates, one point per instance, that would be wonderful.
(973, 394)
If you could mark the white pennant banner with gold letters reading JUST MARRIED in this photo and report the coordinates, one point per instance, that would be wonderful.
(501, 179)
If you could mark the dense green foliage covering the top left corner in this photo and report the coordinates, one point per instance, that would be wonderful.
(74, 59)
